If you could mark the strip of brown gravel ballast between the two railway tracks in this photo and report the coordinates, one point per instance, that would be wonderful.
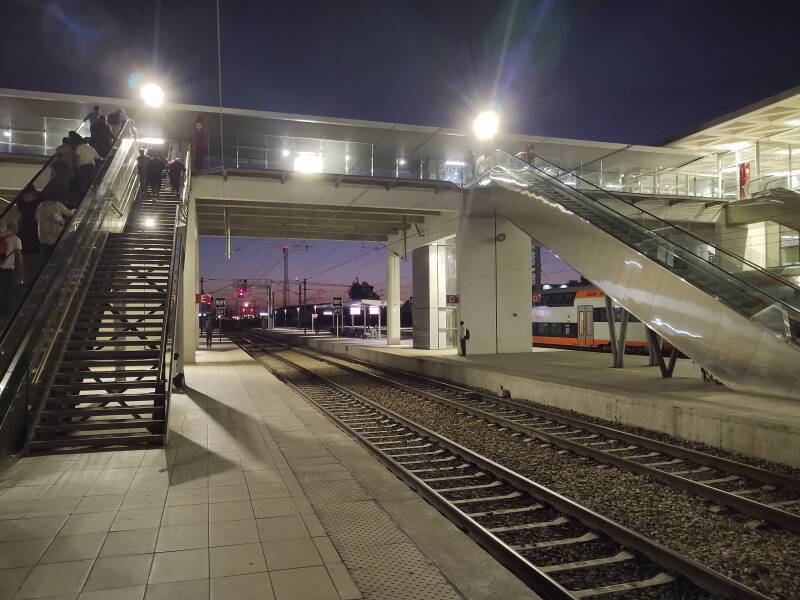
(765, 559)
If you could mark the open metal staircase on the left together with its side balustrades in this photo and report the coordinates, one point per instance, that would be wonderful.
(86, 358)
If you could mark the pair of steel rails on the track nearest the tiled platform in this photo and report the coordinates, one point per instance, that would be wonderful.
(660, 555)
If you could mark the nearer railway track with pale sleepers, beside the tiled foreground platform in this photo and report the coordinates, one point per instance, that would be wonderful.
(559, 548)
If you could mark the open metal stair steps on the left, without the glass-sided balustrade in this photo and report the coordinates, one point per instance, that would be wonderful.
(109, 386)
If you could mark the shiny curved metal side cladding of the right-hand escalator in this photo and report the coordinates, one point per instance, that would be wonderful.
(739, 352)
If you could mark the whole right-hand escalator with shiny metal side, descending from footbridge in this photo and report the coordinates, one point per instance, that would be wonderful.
(737, 320)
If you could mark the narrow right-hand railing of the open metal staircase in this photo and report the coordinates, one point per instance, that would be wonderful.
(172, 328)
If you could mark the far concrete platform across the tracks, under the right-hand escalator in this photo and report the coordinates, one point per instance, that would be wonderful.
(683, 406)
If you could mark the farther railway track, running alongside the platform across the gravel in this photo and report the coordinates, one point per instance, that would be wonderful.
(758, 493)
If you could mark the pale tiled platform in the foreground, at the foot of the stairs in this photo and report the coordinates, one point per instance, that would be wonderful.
(257, 496)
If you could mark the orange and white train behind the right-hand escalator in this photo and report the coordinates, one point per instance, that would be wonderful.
(575, 317)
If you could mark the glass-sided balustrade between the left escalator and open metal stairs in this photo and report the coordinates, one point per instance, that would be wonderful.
(32, 338)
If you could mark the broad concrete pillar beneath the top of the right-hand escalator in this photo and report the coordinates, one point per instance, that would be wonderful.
(494, 285)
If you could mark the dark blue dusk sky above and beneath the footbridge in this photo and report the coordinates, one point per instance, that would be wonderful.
(623, 71)
